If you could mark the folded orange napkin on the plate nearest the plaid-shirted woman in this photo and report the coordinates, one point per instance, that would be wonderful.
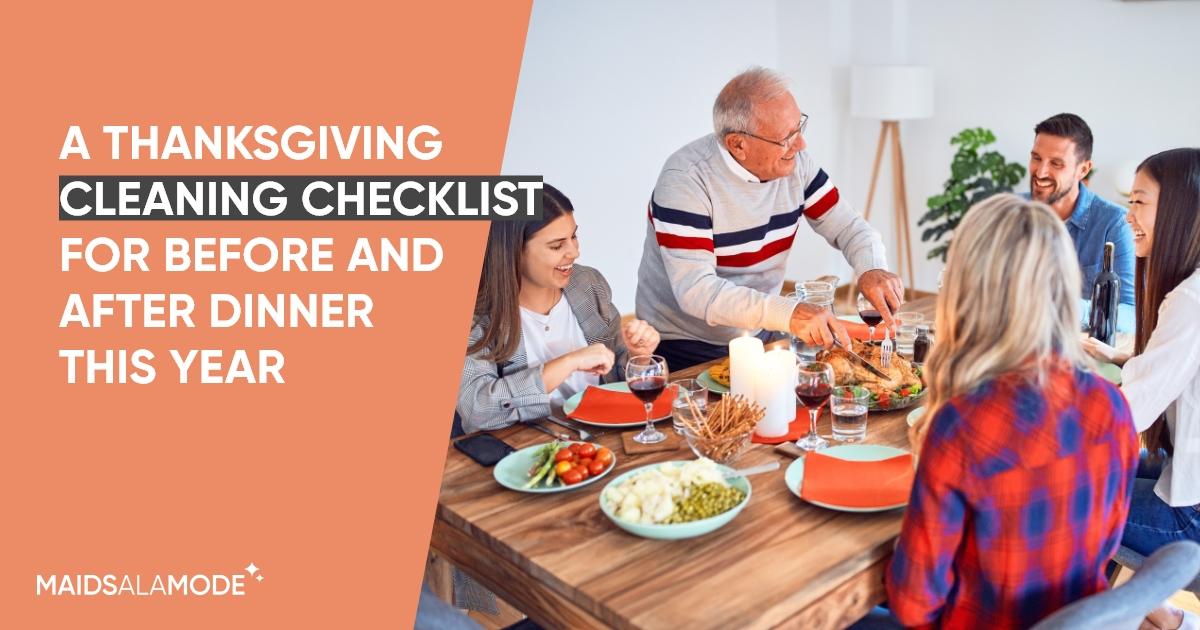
(857, 484)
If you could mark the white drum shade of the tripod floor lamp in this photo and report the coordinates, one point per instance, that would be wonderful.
(892, 93)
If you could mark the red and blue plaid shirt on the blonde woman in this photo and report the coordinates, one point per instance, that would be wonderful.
(1021, 500)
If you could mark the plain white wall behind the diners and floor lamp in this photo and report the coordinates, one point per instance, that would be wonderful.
(609, 91)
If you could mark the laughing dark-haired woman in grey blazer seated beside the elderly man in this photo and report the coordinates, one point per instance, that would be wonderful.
(544, 327)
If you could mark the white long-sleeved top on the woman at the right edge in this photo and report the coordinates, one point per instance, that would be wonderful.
(1167, 379)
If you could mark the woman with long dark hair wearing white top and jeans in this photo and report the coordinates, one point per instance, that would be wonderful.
(1162, 379)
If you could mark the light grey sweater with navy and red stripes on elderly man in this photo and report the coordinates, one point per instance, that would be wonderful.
(718, 241)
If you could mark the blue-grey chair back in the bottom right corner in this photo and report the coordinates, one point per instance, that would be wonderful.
(1160, 577)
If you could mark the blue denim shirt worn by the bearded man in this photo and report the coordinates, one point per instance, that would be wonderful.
(1095, 223)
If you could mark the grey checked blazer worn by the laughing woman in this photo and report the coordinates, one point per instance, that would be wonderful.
(495, 397)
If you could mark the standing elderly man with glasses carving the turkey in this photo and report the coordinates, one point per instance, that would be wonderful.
(723, 218)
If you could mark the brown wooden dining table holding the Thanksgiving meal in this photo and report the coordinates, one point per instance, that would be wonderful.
(782, 563)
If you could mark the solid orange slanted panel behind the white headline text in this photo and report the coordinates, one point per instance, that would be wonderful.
(327, 483)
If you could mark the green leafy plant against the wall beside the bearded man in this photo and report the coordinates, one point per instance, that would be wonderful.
(975, 177)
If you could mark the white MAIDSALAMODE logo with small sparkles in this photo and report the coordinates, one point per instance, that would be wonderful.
(171, 585)
